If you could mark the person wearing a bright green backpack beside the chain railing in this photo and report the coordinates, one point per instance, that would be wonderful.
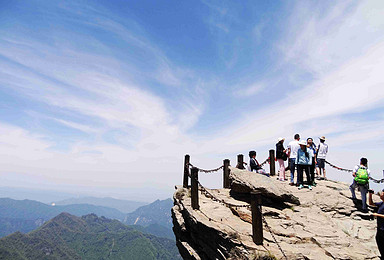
(361, 175)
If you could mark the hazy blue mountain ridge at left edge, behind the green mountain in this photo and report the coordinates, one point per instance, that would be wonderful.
(27, 215)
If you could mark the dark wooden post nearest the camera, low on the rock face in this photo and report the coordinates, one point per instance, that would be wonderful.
(257, 221)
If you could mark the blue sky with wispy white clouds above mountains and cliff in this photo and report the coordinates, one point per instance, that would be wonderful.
(107, 96)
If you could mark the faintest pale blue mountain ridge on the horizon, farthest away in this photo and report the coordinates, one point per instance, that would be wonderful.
(125, 206)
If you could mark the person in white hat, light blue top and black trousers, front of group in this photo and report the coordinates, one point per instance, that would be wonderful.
(303, 161)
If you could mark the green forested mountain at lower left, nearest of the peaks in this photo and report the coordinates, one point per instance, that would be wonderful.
(89, 237)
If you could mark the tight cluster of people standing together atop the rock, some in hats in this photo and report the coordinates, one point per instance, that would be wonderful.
(304, 157)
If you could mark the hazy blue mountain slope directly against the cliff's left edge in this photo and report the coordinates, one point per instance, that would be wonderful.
(154, 218)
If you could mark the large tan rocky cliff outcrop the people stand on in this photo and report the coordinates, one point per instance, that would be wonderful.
(320, 224)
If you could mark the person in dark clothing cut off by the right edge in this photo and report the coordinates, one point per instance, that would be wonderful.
(380, 221)
